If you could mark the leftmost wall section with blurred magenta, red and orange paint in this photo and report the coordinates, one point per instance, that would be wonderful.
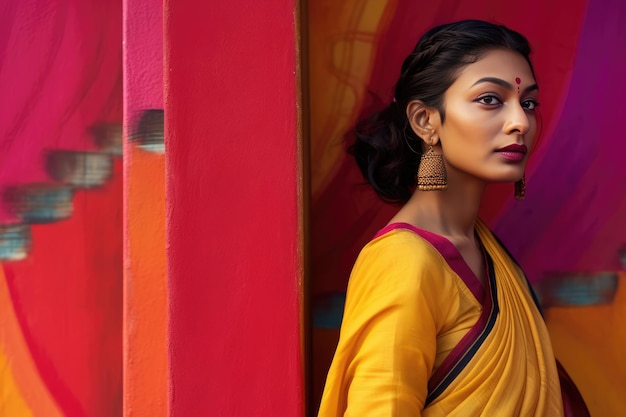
(60, 83)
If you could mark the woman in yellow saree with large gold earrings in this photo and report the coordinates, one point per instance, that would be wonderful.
(439, 319)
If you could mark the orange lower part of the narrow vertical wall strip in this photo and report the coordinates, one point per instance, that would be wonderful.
(145, 320)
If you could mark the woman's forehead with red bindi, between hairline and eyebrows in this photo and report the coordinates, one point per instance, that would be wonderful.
(505, 64)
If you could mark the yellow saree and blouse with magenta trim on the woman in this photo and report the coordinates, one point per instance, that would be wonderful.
(421, 336)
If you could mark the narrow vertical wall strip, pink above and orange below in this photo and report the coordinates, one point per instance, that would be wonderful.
(145, 308)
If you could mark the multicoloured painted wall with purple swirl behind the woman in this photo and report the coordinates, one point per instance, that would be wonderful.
(571, 223)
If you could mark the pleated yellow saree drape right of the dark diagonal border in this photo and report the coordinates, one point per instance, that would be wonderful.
(515, 369)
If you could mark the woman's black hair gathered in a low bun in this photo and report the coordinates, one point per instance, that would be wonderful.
(386, 149)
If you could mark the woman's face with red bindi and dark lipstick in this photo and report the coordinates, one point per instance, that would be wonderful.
(490, 120)
